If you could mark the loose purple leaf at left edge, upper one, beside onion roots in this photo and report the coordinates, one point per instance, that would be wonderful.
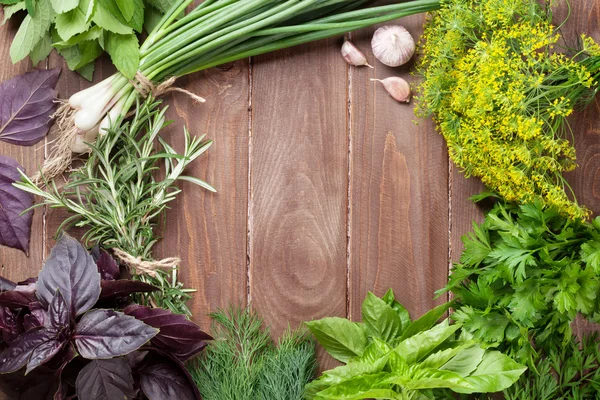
(26, 104)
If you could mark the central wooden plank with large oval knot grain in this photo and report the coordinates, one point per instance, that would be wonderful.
(298, 187)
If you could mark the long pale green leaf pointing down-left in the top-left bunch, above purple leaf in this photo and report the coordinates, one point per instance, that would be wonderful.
(31, 31)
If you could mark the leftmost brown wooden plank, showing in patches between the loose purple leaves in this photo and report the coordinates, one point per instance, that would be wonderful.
(14, 264)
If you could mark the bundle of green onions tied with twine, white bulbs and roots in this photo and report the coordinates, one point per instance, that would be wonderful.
(214, 33)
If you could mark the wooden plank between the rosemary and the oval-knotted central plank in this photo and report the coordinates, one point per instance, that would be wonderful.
(208, 231)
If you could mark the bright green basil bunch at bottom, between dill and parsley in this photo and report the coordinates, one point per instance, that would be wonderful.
(388, 356)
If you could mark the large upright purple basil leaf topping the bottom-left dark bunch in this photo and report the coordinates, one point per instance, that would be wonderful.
(72, 270)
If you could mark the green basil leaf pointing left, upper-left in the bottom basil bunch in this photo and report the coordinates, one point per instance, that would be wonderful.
(341, 338)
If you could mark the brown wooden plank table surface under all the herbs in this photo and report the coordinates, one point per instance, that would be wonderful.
(326, 187)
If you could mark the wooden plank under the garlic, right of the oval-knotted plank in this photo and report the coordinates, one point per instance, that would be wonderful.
(399, 191)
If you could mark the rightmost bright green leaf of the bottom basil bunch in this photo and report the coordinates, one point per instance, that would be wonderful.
(496, 372)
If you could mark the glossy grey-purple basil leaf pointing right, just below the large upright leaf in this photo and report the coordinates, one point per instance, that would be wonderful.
(107, 333)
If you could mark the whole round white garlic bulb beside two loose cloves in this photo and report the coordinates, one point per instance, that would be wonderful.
(393, 45)
